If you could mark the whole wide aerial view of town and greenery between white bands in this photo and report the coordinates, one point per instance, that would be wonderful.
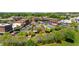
(39, 29)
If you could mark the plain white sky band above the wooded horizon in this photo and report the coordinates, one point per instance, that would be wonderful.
(39, 5)
